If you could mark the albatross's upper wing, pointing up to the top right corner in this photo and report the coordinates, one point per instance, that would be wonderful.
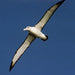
(47, 15)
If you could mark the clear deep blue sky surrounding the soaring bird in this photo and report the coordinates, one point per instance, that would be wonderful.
(56, 56)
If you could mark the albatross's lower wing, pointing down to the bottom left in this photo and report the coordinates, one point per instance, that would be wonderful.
(21, 50)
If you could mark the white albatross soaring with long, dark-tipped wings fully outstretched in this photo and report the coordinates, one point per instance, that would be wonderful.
(34, 32)
